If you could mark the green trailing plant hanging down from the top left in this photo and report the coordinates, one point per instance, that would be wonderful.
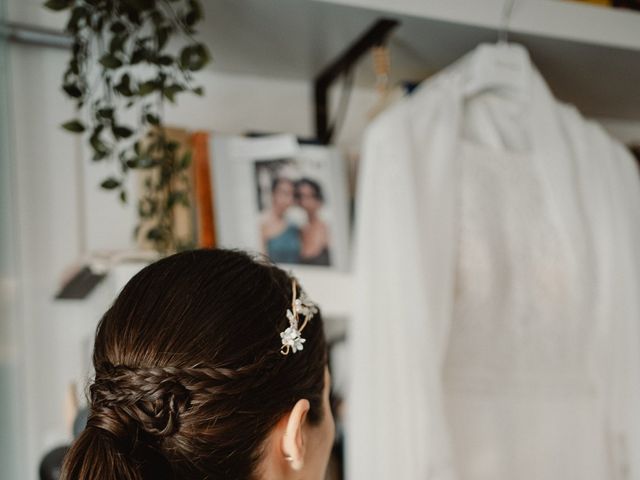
(120, 74)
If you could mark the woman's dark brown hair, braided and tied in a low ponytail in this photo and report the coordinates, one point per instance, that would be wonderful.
(189, 375)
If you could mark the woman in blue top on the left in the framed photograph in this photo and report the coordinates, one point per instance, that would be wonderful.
(280, 238)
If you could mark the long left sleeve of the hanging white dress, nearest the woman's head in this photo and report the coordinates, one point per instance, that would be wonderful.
(396, 425)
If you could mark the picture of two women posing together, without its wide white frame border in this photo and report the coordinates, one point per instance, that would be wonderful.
(292, 226)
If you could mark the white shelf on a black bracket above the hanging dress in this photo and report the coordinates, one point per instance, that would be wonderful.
(589, 55)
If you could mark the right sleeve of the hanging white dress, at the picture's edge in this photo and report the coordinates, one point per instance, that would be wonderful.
(624, 373)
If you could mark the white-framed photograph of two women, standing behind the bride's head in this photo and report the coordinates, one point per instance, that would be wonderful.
(286, 200)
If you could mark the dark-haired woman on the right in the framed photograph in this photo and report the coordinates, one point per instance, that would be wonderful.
(315, 234)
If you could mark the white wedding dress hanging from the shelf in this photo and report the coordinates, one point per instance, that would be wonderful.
(497, 329)
